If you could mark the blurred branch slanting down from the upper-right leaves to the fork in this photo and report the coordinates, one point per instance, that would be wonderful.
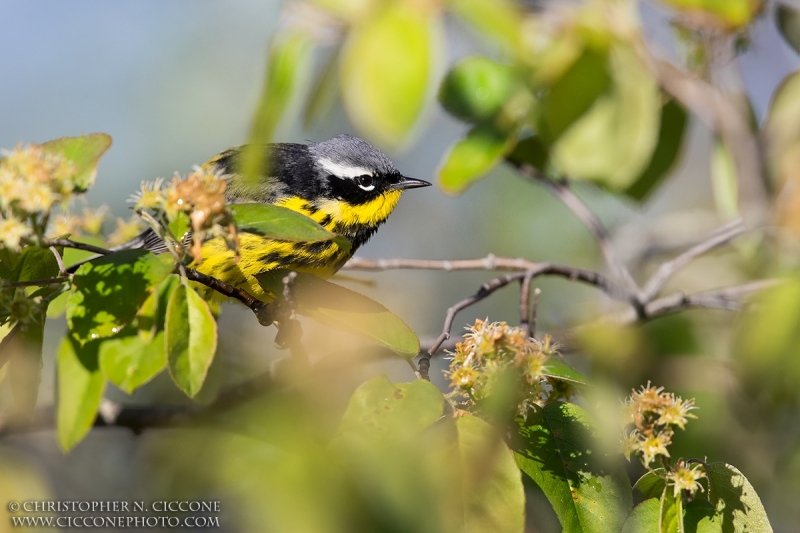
(576, 205)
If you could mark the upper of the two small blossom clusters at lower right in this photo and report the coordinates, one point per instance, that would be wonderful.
(654, 415)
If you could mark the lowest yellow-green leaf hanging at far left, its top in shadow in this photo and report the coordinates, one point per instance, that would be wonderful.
(80, 390)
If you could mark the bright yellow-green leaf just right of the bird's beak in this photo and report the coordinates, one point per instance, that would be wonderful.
(473, 157)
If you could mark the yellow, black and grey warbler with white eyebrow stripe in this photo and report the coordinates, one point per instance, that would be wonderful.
(345, 184)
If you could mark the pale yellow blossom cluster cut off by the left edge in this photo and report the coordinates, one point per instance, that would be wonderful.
(32, 182)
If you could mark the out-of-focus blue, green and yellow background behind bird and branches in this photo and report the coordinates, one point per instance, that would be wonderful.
(448, 89)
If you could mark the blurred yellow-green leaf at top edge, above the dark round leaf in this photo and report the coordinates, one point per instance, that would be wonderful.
(496, 19)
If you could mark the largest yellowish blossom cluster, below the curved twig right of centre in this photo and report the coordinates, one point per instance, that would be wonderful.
(490, 352)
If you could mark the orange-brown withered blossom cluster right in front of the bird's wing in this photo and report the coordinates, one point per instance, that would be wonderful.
(200, 196)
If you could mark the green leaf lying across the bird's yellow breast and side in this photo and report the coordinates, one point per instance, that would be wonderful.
(283, 224)
